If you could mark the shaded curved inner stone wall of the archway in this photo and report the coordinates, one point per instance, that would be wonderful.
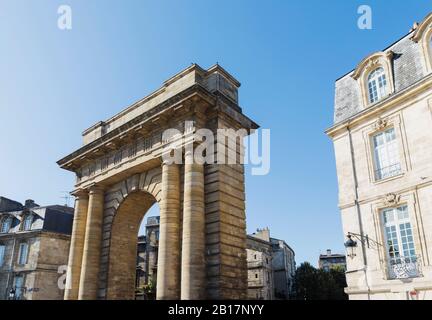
(122, 272)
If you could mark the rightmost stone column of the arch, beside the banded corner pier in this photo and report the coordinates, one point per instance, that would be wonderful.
(193, 243)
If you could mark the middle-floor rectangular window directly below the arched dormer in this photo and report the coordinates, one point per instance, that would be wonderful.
(386, 154)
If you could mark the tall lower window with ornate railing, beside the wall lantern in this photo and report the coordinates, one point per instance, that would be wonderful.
(399, 243)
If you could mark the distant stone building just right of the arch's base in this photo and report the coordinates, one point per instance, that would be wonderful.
(271, 267)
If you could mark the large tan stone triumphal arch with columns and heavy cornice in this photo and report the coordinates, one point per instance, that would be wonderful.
(121, 173)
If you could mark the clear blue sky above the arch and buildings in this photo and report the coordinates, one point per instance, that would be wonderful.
(287, 54)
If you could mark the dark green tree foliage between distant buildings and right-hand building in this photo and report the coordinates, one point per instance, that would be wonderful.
(315, 284)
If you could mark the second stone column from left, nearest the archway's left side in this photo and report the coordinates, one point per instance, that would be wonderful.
(92, 246)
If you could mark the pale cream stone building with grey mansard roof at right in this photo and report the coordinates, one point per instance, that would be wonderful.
(383, 145)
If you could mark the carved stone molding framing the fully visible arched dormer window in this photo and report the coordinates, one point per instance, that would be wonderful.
(369, 64)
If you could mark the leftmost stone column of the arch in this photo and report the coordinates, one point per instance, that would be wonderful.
(76, 246)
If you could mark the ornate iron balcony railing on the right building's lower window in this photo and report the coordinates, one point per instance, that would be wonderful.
(404, 267)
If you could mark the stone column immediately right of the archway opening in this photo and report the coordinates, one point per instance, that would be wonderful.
(168, 272)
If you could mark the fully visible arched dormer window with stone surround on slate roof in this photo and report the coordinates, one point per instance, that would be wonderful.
(375, 77)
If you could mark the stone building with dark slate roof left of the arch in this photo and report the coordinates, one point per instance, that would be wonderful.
(34, 247)
